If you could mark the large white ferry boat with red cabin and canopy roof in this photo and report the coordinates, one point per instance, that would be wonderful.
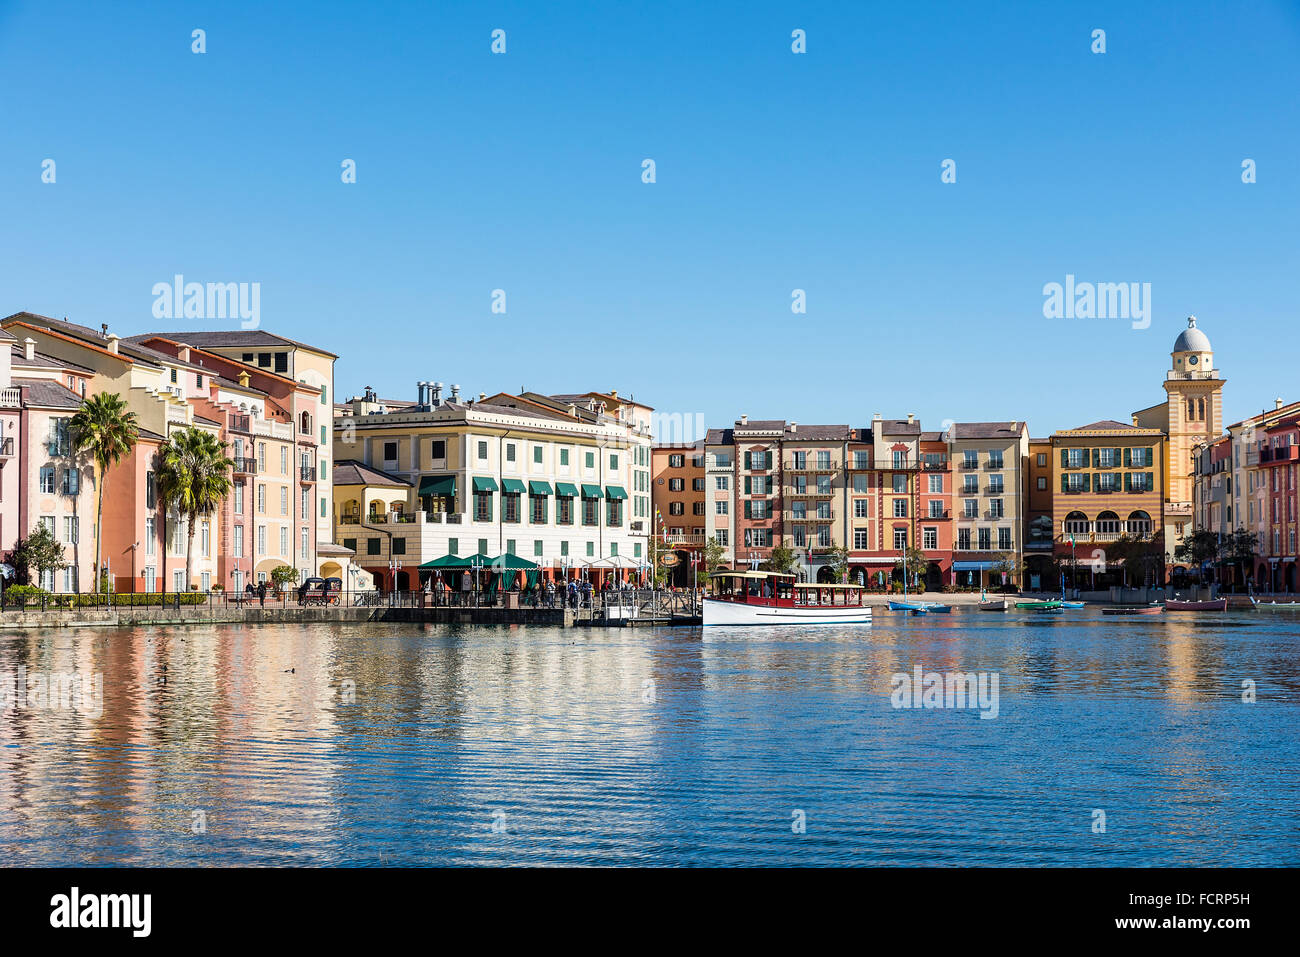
(752, 599)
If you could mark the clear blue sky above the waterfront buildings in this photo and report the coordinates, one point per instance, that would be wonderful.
(774, 172)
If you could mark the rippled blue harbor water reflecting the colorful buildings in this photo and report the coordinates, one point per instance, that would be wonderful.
(677, 747)
